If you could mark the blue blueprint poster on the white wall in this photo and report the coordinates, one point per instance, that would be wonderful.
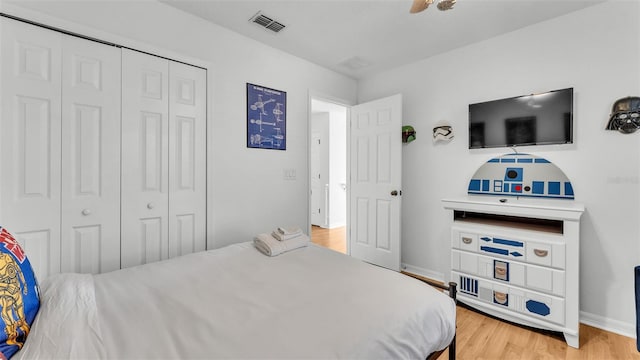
(266, 118)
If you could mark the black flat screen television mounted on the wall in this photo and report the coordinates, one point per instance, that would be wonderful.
(537, 119)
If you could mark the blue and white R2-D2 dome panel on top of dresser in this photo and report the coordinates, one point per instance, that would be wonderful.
(521, 175)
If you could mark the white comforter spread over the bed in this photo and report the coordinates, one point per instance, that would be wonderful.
(235, 302)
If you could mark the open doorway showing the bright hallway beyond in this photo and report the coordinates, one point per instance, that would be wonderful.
(328, 174)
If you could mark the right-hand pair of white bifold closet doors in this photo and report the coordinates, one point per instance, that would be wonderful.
(164, 169)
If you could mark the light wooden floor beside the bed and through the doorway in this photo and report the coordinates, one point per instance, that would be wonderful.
(482, 337)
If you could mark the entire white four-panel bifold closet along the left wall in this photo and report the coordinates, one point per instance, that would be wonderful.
(103, 157)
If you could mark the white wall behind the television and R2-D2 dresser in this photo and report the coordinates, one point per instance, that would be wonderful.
(597, 52)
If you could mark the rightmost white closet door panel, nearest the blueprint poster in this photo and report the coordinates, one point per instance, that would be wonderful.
(187, 159)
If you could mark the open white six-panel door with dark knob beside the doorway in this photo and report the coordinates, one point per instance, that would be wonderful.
(376, 178)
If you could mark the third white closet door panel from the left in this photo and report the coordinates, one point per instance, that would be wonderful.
(145, 153)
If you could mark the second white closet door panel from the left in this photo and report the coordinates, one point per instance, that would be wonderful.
(90, 156)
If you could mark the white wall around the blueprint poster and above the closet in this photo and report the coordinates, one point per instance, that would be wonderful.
(249, 193)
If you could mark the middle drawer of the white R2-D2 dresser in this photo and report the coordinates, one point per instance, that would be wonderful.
(531, 276)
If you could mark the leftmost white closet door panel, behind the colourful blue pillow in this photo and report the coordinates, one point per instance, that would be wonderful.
(30, 146)
